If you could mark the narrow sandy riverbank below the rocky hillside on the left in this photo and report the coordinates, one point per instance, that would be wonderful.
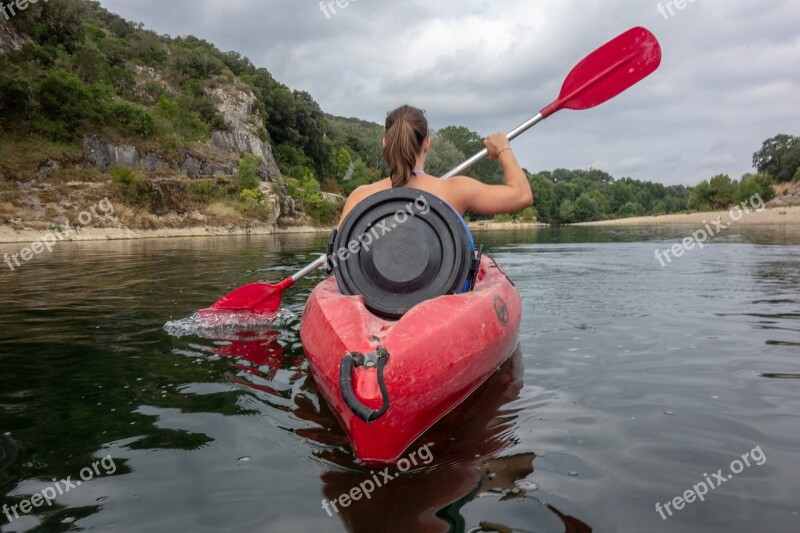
(9, 235)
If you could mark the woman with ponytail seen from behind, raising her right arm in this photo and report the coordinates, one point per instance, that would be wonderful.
(405, 147)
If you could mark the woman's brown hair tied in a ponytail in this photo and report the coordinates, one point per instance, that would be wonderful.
(406, 131)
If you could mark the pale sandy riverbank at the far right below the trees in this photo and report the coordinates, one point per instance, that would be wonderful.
(769, 216)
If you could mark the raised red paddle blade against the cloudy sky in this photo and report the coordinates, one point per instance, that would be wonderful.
(608, 71)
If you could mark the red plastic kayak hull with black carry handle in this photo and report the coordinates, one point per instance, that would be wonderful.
(439, 353)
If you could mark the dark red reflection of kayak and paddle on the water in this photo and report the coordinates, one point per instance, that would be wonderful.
(465, 461)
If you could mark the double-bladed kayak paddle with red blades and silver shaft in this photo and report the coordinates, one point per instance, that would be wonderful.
(608, 71)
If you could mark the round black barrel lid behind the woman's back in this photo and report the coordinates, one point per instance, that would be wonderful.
(401, 247)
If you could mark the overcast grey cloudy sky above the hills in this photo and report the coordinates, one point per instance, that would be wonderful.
(729, 77)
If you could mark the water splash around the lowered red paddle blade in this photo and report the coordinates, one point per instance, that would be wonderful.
(223, 324)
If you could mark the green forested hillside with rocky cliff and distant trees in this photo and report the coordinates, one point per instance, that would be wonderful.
(208, 132)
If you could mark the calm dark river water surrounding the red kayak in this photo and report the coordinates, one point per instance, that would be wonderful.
(633, 383)
